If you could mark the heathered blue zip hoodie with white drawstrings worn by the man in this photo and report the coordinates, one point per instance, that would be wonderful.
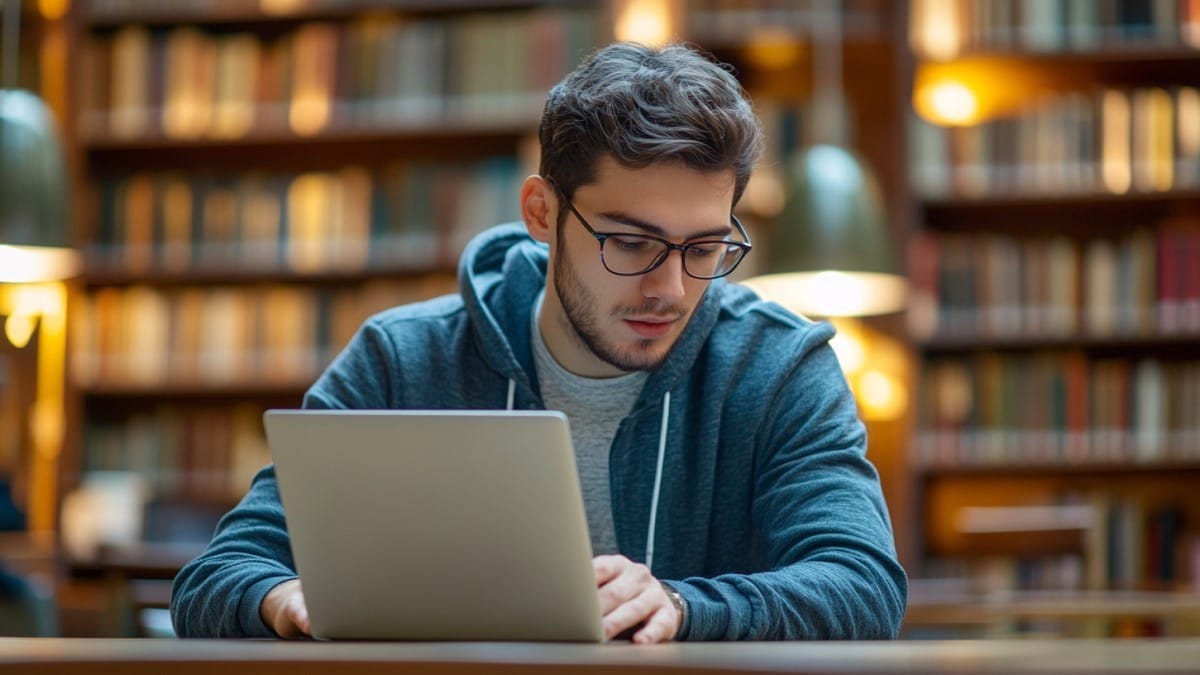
(770, 519)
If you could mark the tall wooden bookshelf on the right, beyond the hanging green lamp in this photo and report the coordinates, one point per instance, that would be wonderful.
(1057, 303)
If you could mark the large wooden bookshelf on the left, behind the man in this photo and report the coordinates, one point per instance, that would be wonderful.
(256, 180)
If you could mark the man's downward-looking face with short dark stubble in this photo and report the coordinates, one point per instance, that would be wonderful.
(601, 325)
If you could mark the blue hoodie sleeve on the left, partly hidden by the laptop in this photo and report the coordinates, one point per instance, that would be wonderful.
(218, 595)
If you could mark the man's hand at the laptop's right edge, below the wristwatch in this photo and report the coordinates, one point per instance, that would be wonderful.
(631, 598)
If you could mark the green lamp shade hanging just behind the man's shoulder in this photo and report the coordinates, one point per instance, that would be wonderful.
(832, 252)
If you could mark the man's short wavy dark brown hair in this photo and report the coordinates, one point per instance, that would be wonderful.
(644, 106)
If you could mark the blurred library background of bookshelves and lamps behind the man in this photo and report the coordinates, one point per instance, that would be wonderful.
(995, 202)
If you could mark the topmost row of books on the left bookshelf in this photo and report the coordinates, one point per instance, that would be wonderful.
(379, 73)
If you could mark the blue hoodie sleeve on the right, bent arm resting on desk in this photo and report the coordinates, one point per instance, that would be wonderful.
(819, 507)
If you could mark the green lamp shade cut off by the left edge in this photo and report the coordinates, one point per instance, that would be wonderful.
(34, 231)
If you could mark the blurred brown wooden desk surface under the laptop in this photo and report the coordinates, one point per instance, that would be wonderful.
(253, 658)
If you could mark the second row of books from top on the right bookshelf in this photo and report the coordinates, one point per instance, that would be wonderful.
(1113, 141)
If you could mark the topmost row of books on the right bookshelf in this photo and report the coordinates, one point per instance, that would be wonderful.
(944, 29)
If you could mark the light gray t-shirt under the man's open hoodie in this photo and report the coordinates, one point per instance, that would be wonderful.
(595, 408)
